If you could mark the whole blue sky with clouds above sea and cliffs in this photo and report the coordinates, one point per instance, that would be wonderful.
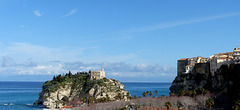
(135, 40)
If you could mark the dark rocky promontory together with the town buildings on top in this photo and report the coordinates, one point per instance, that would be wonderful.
(218, 75)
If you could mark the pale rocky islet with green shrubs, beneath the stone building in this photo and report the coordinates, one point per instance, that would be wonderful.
(76, 89)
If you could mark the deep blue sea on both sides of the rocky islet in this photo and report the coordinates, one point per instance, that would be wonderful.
(22, 95)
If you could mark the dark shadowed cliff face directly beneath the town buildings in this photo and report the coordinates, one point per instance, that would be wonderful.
(224, 80)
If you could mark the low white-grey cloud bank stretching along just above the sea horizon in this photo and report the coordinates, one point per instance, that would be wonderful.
(118, 70)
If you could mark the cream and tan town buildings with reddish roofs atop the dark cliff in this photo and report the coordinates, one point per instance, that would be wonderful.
(211, 64)
